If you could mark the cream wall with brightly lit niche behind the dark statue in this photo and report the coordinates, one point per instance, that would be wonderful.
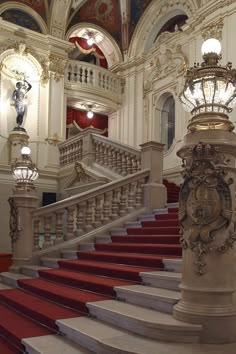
(44, 119)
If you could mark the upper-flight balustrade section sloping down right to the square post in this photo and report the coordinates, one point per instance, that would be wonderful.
(120, 158)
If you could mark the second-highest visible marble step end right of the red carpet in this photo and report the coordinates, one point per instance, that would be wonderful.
(159, 279)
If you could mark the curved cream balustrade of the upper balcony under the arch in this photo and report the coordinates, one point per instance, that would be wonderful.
(81, 73)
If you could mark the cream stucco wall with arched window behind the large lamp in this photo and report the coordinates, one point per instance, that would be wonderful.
(139, 115)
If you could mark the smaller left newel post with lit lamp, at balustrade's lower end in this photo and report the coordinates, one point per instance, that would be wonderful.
(22, 202)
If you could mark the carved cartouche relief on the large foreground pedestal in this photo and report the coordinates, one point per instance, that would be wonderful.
(205, 203)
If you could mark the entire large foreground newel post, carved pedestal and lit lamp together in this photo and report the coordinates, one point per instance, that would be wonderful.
(207, 200)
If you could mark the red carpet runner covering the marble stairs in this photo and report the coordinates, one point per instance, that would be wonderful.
(92, 277)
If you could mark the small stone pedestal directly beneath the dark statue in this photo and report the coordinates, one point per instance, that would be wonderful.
(17, 139)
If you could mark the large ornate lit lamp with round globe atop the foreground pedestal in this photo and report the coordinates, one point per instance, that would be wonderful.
(210, 90)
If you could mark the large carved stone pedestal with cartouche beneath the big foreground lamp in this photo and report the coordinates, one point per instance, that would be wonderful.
(207, 218)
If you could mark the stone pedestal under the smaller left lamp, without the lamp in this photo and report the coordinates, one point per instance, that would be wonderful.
(21, 204)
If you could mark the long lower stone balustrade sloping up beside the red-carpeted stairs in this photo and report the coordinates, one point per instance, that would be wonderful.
(74, 216)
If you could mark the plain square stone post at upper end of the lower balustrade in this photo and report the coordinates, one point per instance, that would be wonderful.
(155, 195)
